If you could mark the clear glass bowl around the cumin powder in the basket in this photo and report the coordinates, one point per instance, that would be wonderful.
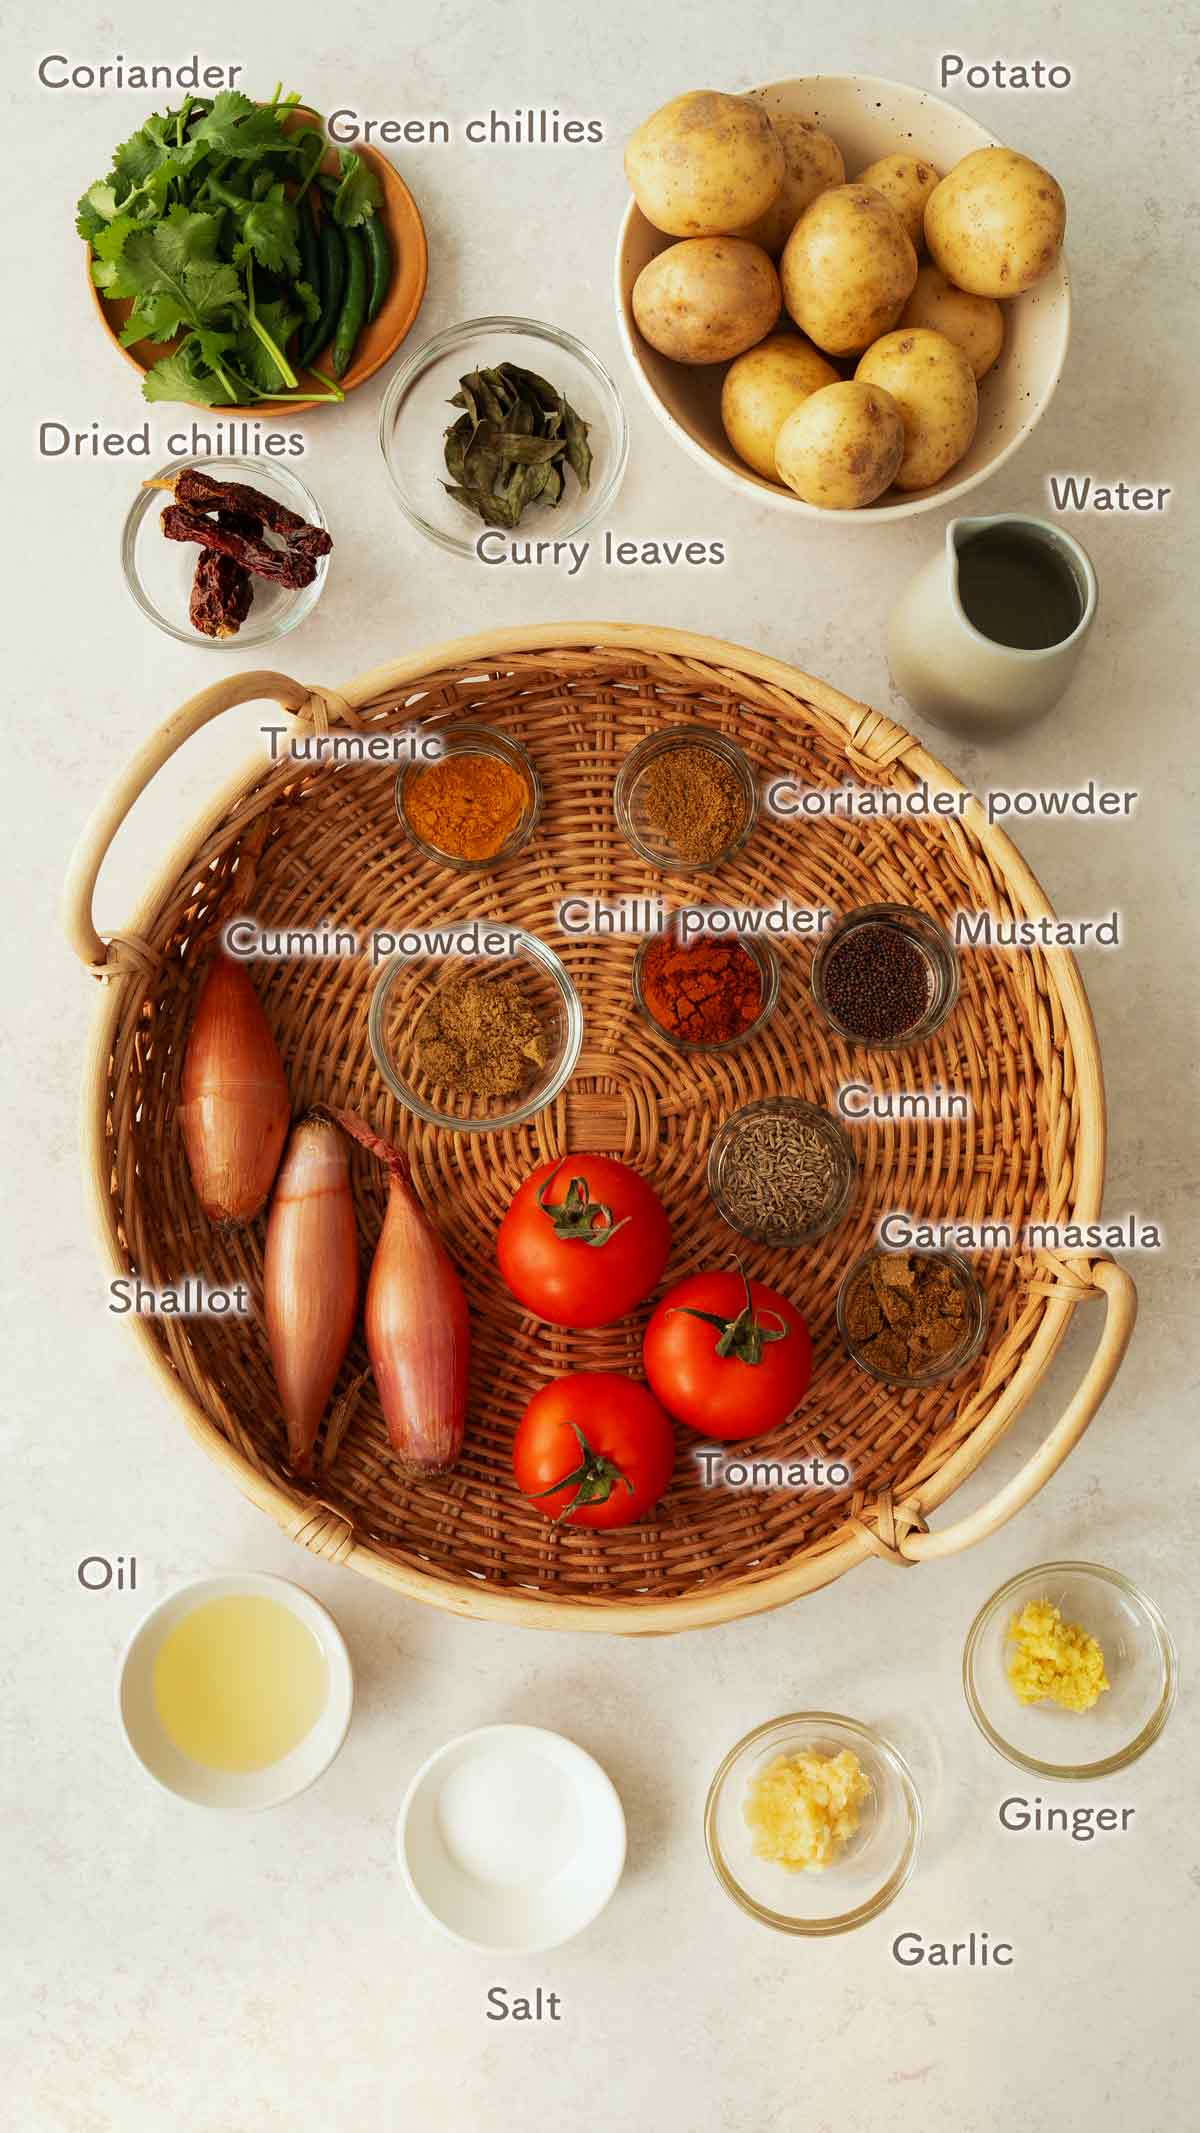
(406, 987)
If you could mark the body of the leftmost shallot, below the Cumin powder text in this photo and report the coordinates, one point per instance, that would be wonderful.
(236, 1097)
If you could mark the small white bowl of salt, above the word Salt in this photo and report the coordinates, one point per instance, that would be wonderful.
(510, 1840)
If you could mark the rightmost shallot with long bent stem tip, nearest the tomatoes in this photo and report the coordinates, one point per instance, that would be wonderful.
(419, 1334)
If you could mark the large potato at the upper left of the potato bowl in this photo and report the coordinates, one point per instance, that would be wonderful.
(704, 165)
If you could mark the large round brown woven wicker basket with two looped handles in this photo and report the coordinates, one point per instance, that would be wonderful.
(1022, 1042)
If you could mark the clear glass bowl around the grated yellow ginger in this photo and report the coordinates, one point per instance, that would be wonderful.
(1139, 1661)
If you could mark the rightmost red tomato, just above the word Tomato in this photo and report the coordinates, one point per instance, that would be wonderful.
(728, 1356)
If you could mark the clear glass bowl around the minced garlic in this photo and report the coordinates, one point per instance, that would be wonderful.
(875, 1863)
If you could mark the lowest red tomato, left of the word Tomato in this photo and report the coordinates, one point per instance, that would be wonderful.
(594, 1449)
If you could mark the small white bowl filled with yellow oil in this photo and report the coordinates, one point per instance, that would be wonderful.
(236, 1693)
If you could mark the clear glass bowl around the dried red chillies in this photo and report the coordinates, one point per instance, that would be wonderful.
(159, 573)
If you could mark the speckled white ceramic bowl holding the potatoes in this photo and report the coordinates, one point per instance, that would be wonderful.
(869, 118)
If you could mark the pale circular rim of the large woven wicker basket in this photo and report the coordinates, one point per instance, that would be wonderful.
(323, 1528)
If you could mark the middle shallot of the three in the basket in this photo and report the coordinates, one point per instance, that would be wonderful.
(310, 1279)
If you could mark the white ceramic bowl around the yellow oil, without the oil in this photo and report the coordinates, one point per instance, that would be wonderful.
(233, 1789)
